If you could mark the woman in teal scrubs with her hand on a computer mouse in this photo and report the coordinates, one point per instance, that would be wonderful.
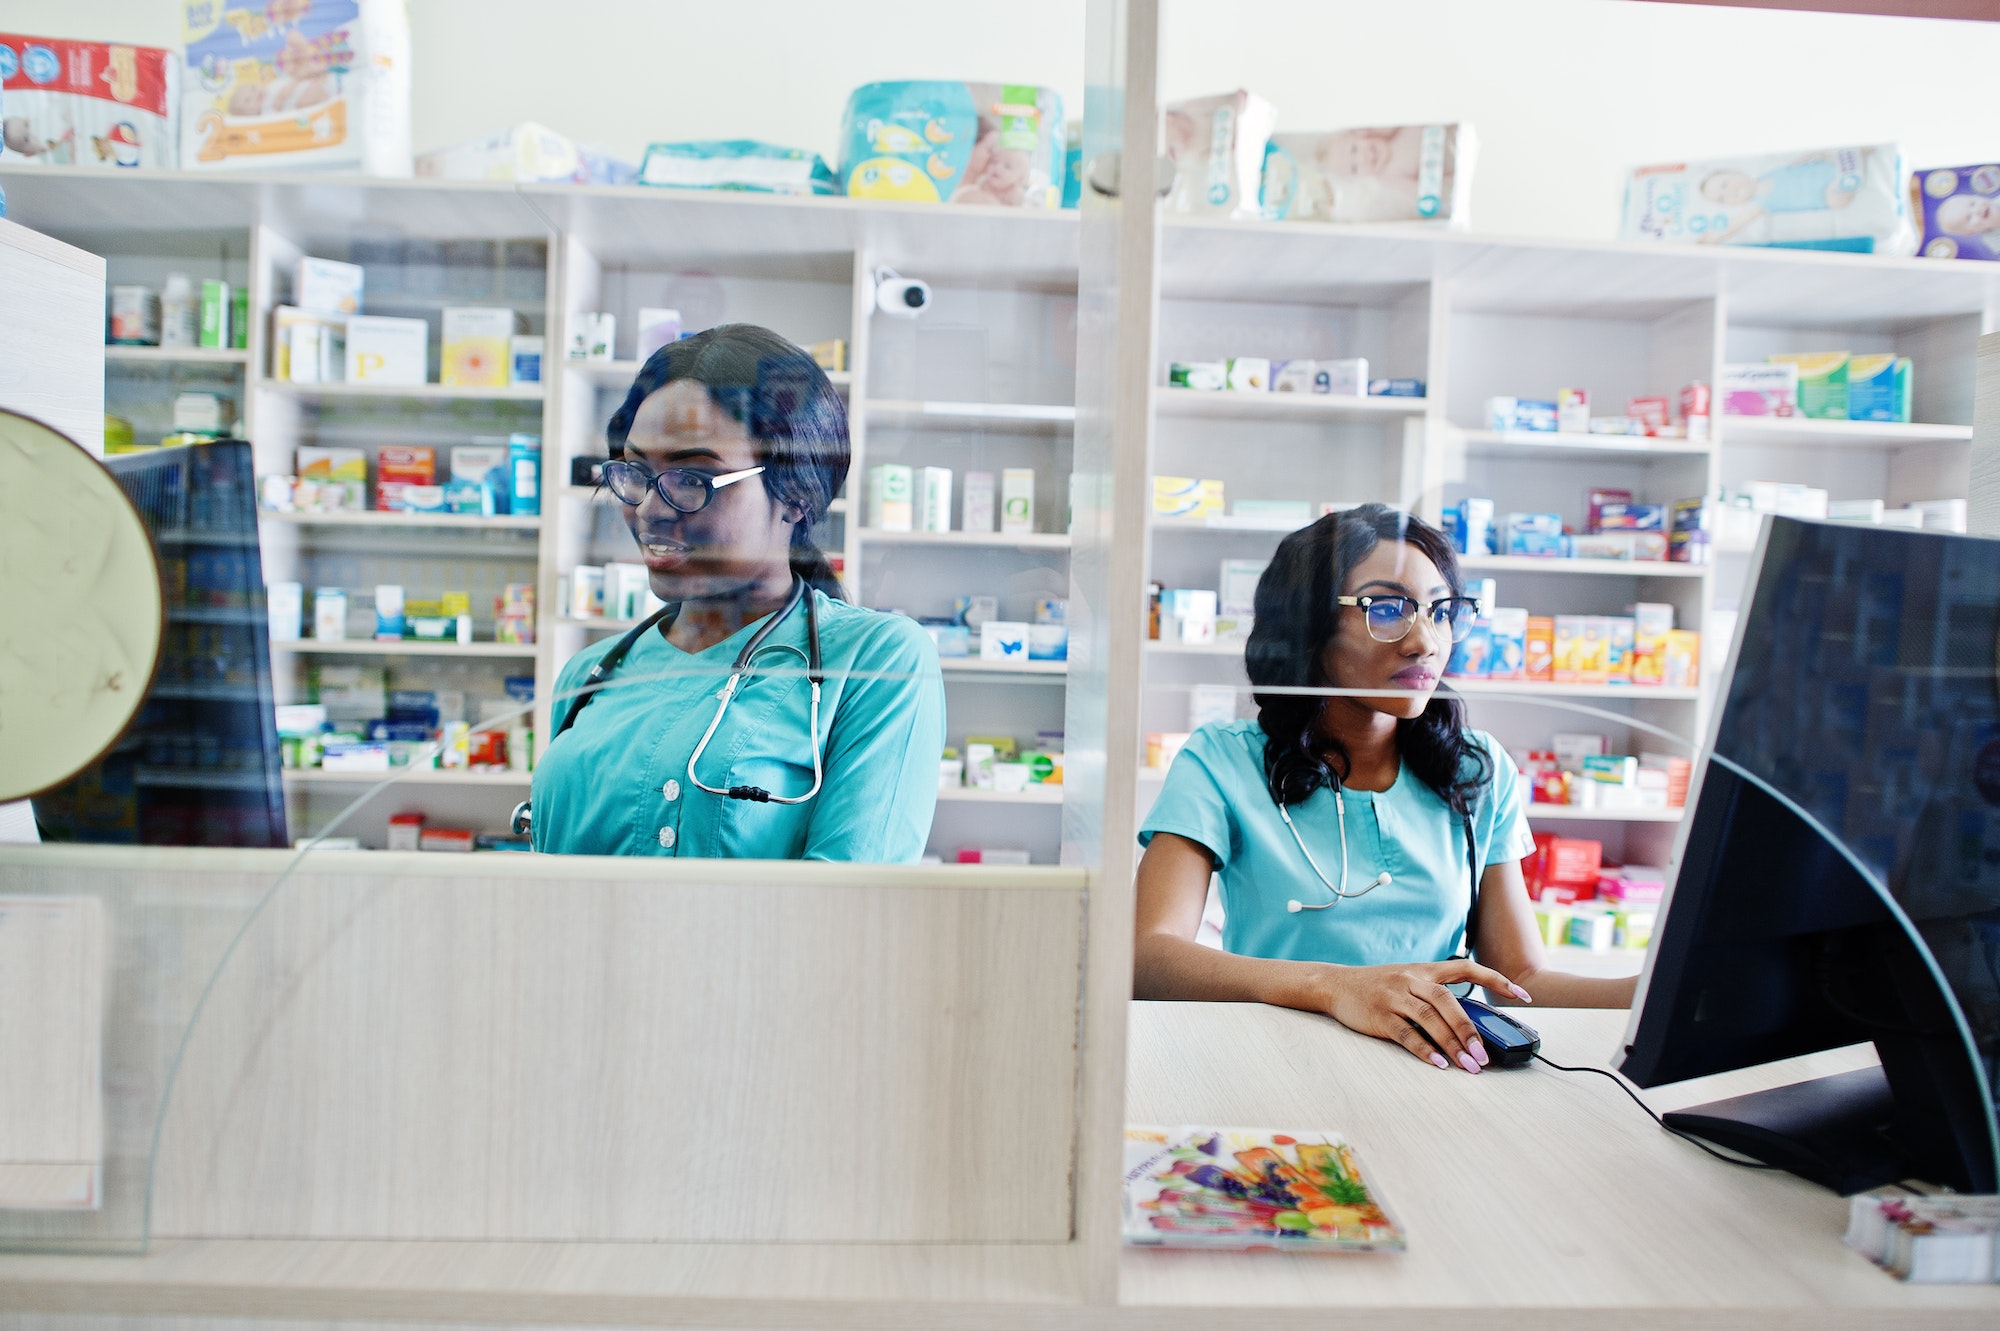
(1347, 828)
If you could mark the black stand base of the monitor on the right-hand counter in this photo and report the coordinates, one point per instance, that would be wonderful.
(1833, 1130)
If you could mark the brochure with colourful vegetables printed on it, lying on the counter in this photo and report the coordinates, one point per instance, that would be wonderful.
(1233, 1188)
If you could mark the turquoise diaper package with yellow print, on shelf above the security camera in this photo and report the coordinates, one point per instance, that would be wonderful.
(935, 141)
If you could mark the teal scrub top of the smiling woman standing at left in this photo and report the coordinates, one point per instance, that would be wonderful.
(617, 782)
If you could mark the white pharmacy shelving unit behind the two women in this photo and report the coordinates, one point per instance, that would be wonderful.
(987, 381)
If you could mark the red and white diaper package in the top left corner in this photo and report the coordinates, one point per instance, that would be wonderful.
(87, 103)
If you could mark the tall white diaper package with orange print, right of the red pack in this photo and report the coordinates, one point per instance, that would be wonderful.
(297, 83)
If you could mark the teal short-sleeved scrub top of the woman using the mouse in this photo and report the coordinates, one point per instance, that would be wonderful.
(1217, 796)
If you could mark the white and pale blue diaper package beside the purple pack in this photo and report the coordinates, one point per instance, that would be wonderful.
(1833, 199)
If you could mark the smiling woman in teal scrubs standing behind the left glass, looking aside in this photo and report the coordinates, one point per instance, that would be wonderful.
(725, 455)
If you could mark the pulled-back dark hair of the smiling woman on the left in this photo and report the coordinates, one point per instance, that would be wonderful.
(787, 405)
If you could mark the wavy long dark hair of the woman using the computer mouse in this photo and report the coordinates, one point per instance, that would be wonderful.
(1297, 617)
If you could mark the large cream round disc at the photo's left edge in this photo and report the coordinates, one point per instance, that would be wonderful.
(81, 609)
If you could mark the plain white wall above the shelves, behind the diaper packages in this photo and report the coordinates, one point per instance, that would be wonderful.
(1567, 95)
